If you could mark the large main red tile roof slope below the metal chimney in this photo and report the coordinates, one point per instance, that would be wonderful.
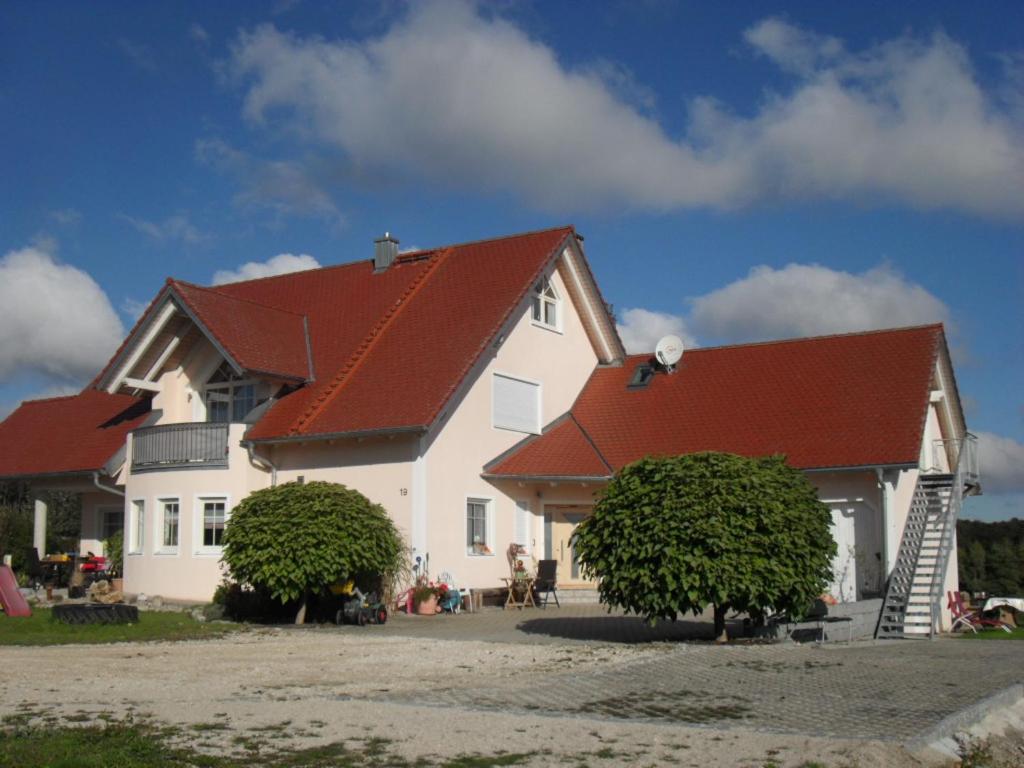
(390, 349)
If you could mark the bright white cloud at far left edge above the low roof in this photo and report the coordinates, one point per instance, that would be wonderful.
(55, 320)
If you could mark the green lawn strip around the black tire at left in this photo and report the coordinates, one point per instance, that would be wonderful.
(40, 629)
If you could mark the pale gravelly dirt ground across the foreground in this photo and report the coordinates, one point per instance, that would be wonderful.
(302, 689)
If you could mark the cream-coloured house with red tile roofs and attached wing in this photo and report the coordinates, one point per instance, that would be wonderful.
(482, 395)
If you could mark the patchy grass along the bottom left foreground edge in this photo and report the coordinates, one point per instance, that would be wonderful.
(129, 745)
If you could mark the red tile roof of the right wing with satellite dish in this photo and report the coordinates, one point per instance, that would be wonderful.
(850, 401)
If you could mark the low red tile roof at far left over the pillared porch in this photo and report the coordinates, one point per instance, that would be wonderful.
(73, 435)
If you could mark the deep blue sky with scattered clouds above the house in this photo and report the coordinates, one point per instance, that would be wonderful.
(741, 174)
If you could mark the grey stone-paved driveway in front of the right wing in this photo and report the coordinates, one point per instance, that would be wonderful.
(875, 690)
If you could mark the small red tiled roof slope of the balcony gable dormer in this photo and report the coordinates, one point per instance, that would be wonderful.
(261, 338)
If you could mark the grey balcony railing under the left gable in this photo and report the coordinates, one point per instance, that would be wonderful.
(186, 446)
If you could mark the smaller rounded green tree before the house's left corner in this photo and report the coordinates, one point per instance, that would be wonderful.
(295, 539)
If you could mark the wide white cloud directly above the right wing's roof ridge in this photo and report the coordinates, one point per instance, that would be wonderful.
(810, 300)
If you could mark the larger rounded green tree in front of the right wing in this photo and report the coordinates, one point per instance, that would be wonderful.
(674, 535)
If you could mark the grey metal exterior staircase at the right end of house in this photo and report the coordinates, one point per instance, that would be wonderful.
(913, 608)
